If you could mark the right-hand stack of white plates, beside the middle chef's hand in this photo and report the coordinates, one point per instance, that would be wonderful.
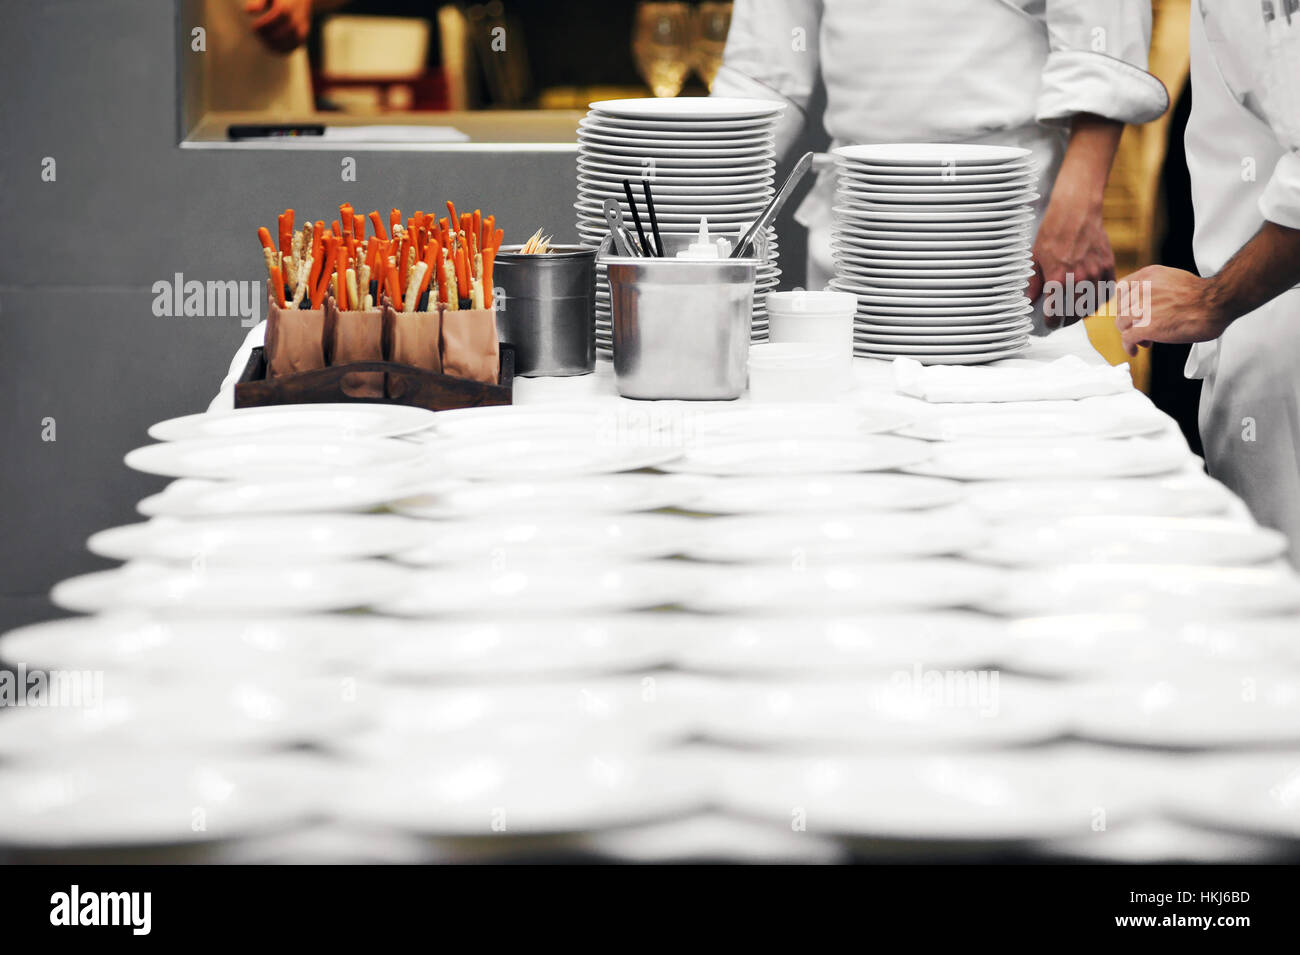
(934, 240)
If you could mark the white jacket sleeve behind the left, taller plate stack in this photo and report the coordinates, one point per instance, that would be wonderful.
(773, 55)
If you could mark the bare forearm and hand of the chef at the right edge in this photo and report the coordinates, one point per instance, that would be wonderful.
(1163, 305)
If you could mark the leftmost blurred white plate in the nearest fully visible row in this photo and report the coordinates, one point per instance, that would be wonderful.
(145, 801)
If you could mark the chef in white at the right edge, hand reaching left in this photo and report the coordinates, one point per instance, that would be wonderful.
(1243, 153)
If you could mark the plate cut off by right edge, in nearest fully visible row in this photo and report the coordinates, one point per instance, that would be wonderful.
(1256, 793)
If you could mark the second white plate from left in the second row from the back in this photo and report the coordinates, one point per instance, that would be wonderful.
(545, 457)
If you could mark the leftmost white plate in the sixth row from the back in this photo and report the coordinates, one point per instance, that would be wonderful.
(202, 645)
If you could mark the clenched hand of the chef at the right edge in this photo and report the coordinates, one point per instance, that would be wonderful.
(1163, 305)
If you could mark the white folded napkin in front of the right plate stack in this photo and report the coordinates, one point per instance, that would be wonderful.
(1069, 377)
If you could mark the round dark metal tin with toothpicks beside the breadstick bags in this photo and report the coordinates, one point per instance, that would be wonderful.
(547, 309)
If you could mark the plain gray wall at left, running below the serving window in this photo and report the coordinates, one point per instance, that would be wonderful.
(93, 84)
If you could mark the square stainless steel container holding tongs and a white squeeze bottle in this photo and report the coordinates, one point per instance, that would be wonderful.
(682, 328)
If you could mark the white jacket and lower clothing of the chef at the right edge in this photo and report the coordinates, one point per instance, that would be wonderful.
(1243, 153)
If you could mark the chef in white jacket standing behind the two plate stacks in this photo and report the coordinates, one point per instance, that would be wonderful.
(1059, 77)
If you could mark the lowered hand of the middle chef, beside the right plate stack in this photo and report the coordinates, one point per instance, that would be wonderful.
(1072, 241)
